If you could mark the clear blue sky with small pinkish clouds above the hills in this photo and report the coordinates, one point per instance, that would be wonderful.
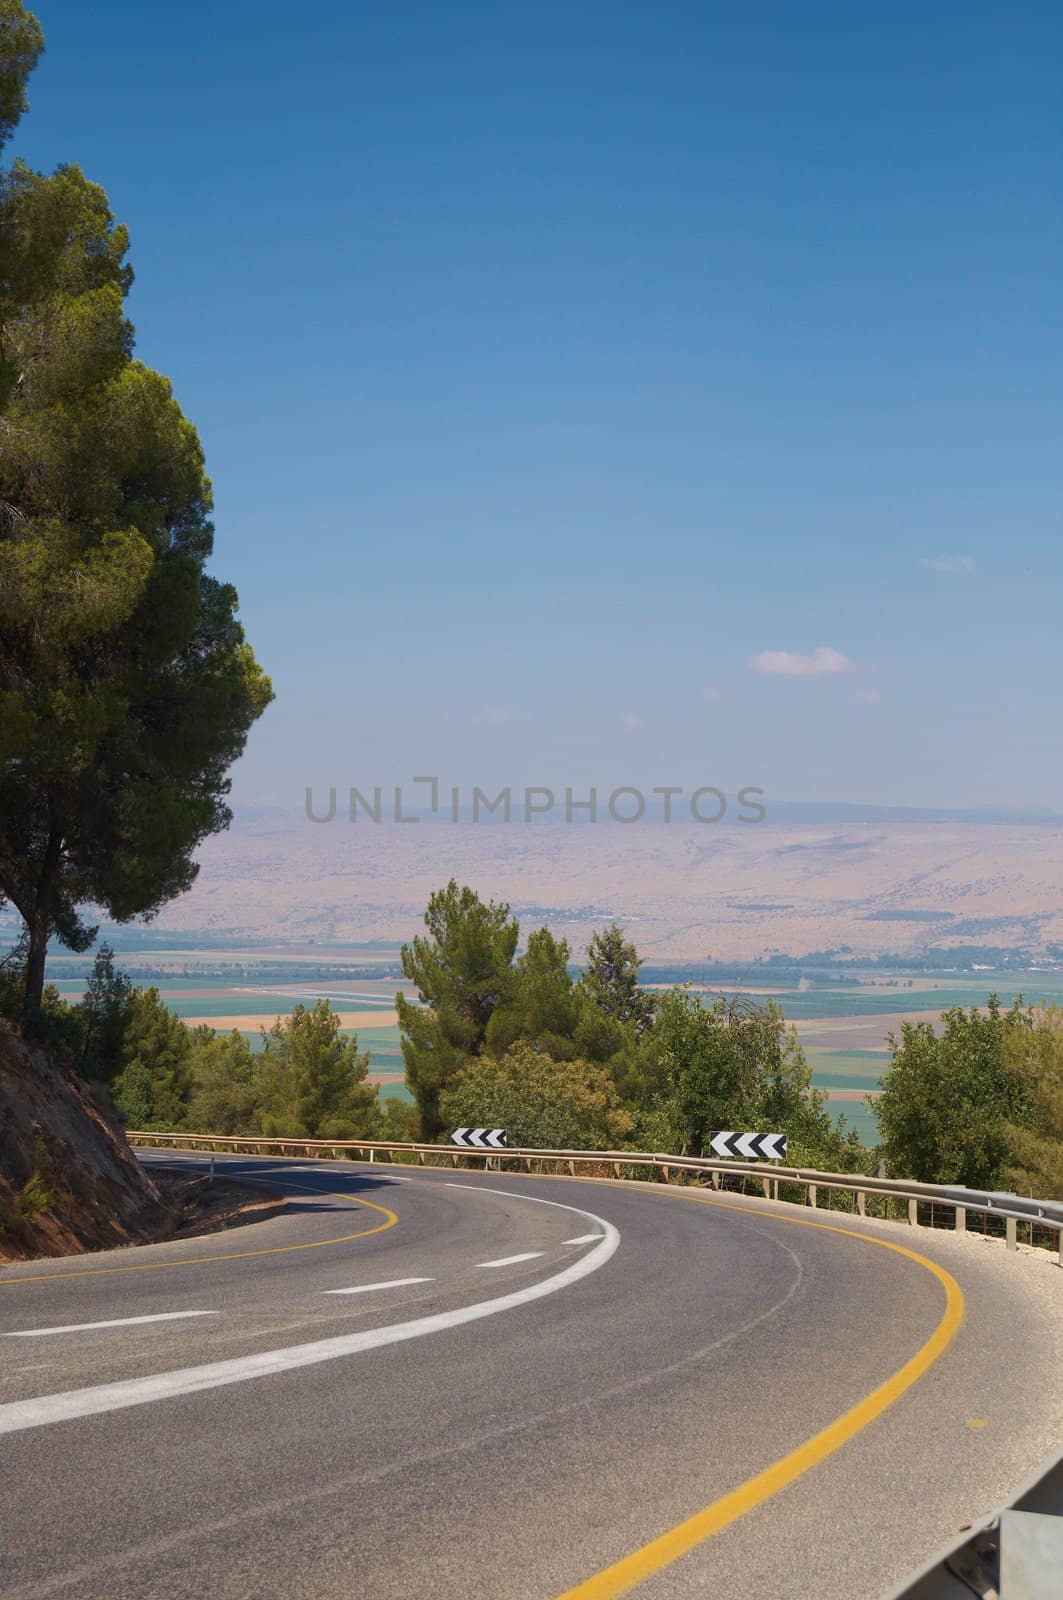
(609, 394)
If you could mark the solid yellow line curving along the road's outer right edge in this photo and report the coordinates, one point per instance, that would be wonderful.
(654, 1558)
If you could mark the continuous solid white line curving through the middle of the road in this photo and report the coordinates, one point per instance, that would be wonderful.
(18, 1415)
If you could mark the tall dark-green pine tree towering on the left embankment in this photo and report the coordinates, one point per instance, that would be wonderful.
(127, 687)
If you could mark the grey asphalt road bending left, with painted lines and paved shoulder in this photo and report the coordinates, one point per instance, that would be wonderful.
(531, 1382)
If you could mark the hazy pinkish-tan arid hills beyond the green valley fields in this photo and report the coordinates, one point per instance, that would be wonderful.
(684, 892)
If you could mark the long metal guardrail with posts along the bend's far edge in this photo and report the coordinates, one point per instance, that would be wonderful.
(957, 1199)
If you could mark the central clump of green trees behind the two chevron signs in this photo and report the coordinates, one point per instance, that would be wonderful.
(558, 1058)
